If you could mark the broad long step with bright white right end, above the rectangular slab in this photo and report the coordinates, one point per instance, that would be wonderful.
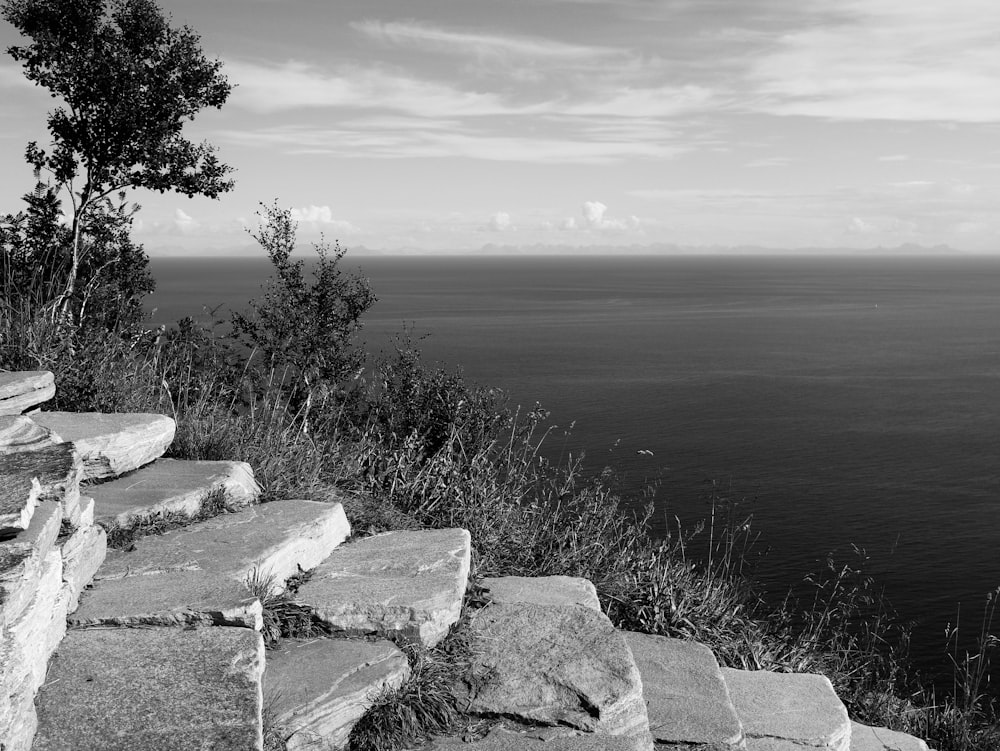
(205, 572)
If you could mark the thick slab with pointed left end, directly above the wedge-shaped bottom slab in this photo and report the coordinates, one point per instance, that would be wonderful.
(407, 583)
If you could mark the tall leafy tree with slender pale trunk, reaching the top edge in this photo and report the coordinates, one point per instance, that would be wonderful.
(129, 81)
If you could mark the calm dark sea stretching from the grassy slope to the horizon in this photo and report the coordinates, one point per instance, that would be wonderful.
(850, 401)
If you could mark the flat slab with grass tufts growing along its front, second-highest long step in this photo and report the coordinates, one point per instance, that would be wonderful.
(172, 486)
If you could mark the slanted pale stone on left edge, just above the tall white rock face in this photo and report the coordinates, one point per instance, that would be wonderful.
(22, 560)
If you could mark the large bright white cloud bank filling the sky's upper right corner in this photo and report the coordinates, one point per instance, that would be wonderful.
(911, 60)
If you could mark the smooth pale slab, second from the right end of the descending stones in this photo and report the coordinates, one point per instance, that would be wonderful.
(796, 708)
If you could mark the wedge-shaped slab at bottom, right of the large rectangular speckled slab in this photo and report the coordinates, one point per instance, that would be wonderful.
(319, 689)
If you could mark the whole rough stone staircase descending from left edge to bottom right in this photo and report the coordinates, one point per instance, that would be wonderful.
(159, 645)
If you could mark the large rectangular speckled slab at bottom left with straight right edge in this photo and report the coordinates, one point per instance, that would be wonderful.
(153, 689)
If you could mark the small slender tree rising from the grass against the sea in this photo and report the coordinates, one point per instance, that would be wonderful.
(308, 326)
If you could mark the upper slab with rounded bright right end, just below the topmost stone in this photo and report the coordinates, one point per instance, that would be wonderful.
(111, 444)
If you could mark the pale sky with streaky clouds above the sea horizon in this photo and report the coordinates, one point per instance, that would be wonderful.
(458, 124)
